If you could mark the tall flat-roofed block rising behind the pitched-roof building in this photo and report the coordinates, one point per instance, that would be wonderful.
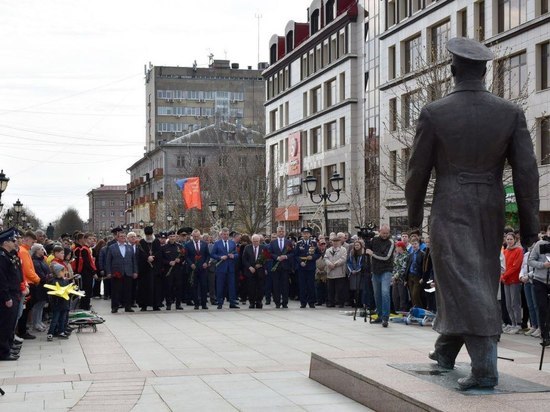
(180, 100)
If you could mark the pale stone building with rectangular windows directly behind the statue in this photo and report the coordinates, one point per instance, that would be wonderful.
(414, 69)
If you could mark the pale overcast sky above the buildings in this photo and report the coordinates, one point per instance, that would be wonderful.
(72, 110)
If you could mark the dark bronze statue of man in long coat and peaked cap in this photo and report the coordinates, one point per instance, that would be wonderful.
(467, 137)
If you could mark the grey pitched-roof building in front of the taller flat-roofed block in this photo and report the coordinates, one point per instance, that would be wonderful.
(228, 159)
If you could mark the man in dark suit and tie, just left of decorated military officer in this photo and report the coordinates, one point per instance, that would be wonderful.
(282, 253)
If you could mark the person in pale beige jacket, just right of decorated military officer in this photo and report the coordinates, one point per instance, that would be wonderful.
(335, 257)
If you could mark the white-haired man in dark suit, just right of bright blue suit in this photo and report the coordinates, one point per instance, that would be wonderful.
(255, 257)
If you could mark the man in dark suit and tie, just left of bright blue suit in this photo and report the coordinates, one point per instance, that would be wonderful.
(197, 257)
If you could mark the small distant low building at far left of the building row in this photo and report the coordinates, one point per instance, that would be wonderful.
(107, 205)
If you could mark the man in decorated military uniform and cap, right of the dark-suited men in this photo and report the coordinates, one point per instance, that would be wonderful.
(306, 254)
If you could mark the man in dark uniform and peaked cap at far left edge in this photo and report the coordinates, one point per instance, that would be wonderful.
(10, 294)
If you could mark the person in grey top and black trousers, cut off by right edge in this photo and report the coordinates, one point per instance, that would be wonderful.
(539, 258)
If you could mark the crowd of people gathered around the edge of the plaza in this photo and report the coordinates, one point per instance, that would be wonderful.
(173, 269)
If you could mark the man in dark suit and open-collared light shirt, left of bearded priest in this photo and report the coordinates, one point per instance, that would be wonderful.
(121, 268)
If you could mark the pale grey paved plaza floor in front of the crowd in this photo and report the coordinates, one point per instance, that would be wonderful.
(223, 360)
